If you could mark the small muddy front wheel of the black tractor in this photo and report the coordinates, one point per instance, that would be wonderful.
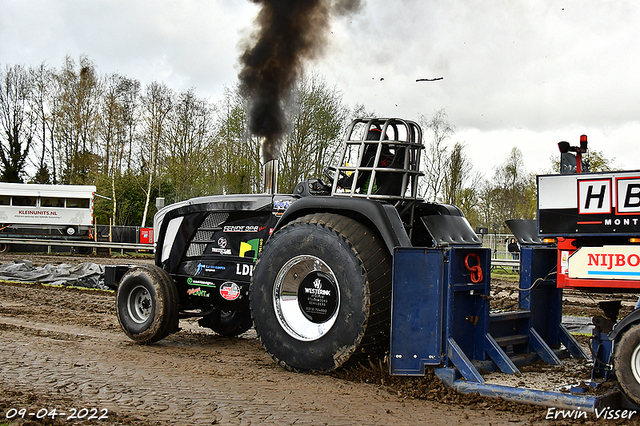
(147, 304)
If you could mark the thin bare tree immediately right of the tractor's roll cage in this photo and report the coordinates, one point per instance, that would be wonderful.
(435, 157)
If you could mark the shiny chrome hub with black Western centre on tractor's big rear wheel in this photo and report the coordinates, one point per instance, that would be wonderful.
(306, 297)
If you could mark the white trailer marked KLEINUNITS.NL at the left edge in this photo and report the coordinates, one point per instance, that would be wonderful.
(46, 209)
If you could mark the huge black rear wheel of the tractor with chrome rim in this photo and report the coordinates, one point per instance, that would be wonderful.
(320, 294)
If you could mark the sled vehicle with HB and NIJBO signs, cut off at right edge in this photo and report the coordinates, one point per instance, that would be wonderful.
(594, 219)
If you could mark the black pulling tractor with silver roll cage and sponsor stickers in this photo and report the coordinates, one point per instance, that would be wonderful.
(311, 271)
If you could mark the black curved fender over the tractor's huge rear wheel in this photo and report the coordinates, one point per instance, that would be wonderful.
(380, 218)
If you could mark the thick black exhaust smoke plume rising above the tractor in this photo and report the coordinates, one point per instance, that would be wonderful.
(289, 31)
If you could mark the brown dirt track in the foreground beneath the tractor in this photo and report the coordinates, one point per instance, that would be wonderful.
(62, 348)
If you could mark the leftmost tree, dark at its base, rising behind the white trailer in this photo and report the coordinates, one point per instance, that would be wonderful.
(17, 119)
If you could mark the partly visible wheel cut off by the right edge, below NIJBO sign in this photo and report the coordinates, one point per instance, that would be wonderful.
(626, 359)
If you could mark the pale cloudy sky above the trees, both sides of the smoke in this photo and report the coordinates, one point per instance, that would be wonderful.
(526, 74)
